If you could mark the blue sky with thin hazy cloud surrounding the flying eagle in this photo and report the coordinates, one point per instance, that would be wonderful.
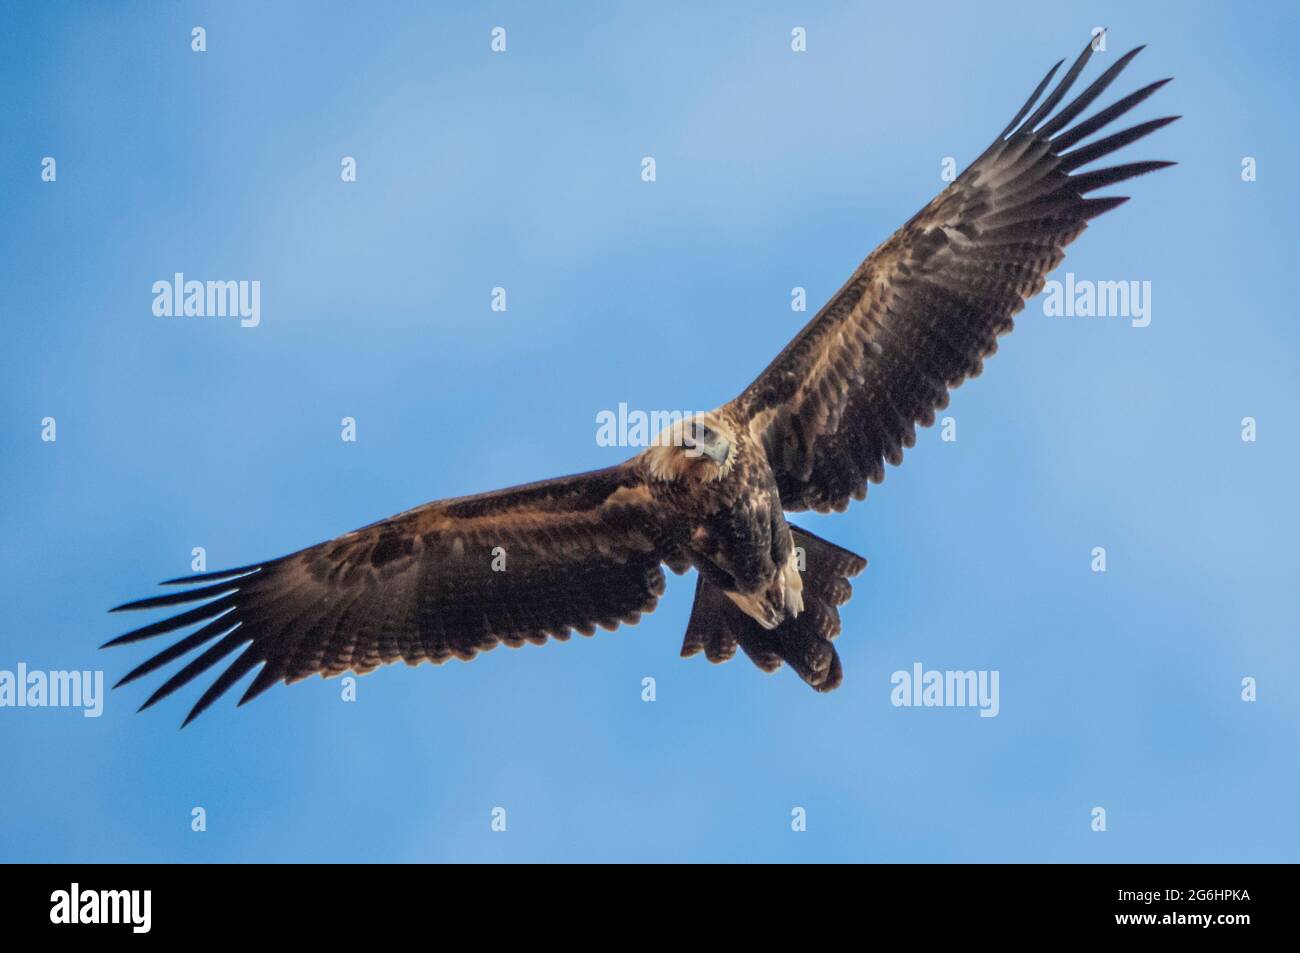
(775, 170)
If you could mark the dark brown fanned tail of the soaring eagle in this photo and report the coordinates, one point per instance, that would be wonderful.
(718, 626)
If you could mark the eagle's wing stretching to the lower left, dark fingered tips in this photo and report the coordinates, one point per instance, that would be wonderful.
(448, 579)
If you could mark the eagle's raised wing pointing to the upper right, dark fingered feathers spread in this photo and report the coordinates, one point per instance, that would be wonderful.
(926, 307)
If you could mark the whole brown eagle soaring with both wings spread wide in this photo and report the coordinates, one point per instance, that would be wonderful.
(713, 491)
